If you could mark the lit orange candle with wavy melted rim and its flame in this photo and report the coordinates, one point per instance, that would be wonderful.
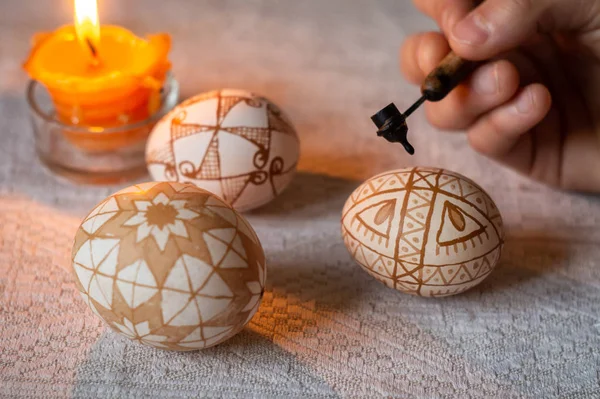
(100, 76)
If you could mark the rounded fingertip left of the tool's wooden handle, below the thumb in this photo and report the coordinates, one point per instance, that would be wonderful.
(421, 53)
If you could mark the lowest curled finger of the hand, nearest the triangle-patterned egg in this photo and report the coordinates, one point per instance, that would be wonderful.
(497, 132)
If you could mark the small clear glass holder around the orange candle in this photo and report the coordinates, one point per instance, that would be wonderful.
(93, 154)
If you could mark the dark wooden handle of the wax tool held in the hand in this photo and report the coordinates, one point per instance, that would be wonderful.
(446, 76)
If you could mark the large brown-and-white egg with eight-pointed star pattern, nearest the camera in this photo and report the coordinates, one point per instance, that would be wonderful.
(169, 265)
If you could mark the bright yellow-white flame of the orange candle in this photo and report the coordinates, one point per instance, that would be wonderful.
(87, 26)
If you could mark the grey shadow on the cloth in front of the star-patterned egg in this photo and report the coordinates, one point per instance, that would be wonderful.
(248, 365)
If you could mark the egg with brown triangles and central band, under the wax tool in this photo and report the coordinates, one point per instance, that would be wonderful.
(423, 231)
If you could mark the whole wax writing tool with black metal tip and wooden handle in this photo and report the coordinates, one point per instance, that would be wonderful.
(446, 76)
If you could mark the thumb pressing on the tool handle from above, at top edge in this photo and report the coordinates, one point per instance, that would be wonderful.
(496, 26)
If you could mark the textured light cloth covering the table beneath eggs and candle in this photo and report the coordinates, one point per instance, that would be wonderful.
(324, 328)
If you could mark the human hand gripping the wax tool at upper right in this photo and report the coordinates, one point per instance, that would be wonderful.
(535, 105)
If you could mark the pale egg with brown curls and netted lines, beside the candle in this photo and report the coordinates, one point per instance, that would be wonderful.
(232, 143)
